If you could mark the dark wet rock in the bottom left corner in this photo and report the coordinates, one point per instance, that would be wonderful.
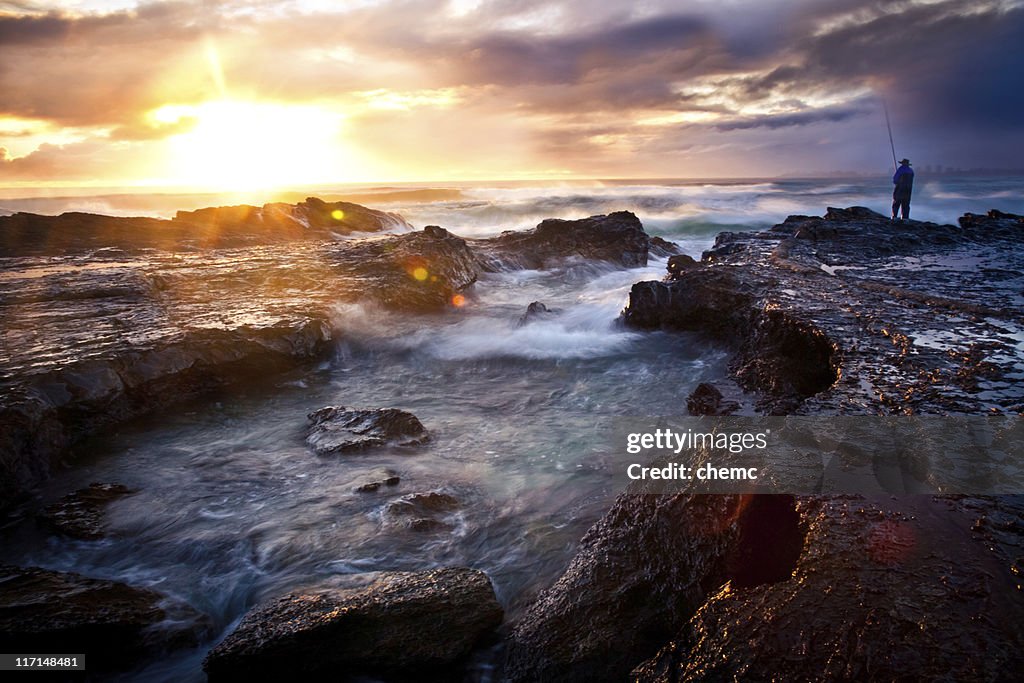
(116, 625)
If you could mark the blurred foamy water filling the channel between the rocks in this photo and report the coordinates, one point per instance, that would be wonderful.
(234, 508)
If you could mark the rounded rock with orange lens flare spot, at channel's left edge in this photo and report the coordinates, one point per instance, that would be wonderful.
(419, 272)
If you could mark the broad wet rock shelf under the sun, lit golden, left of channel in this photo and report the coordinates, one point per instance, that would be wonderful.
(108, 319)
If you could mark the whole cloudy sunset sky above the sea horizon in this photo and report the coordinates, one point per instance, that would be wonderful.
(254, 94)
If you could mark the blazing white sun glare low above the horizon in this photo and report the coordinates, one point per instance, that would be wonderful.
(254, 146)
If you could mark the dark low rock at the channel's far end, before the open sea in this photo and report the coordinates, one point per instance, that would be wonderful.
(618, 238)
